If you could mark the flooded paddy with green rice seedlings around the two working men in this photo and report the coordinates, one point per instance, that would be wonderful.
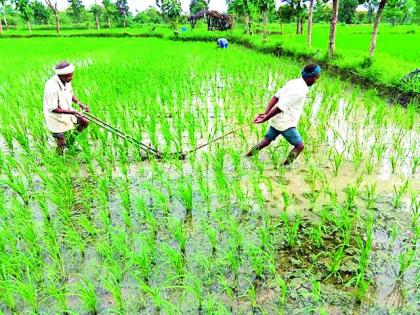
(102, 231)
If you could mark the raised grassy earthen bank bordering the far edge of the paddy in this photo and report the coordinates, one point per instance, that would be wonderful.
(392, 92)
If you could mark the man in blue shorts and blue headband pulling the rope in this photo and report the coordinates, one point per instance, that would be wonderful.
(284, 111)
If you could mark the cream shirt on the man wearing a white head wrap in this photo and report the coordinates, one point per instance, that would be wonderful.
(58, 95)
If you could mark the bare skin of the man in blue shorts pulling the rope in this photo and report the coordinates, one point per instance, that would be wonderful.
(272, 111)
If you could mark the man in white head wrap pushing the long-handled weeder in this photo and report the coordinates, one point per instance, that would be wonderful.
(60, 116)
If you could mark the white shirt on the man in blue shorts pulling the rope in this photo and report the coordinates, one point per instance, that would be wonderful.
(292, 97)
